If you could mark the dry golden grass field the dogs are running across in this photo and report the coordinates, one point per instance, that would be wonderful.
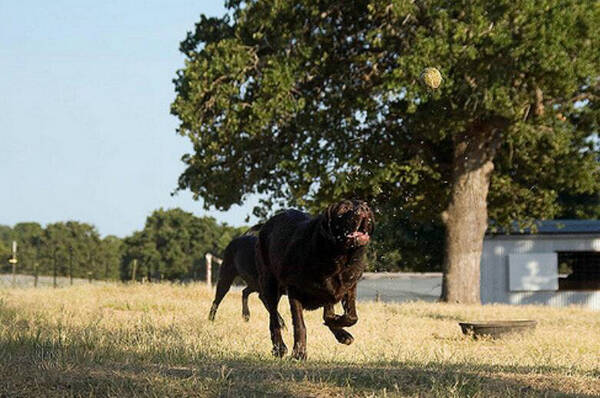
(154, 340)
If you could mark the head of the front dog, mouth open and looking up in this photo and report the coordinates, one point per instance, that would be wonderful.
(350, 223)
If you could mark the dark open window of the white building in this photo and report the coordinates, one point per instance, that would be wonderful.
(582, 270)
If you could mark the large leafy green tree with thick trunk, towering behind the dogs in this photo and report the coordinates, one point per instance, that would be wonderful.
(309, 101)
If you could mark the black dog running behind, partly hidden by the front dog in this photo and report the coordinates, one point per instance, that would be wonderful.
(239, 260)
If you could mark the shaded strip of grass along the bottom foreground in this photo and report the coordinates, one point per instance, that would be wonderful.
(31, 365)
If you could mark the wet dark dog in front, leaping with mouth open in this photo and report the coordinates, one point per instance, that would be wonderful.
(318, 262)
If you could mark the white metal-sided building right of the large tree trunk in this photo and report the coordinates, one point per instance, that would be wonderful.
(523, 268)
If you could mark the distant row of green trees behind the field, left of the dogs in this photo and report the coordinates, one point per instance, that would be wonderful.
(171, 246)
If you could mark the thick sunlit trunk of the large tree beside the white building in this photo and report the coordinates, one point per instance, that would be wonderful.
(465, 218)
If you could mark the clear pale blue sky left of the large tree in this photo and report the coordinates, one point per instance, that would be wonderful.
(85, 90)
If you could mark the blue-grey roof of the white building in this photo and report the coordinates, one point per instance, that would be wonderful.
(552, 227)
